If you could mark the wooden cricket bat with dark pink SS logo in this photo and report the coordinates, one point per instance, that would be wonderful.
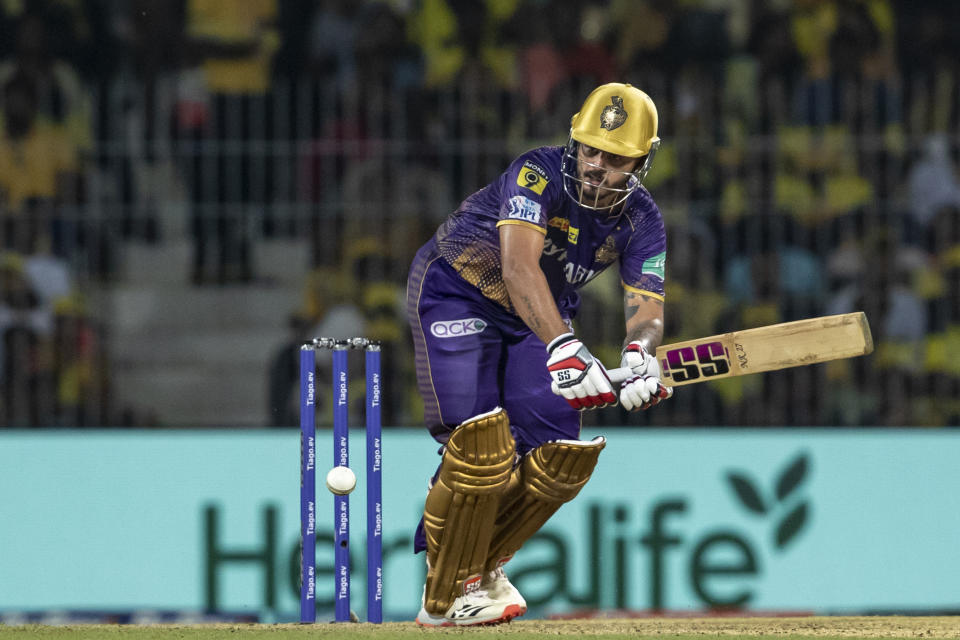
(777, 346)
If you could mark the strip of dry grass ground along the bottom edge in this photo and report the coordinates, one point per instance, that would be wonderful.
(598, 629)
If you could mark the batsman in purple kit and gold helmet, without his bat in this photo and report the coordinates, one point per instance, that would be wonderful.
(491, 298)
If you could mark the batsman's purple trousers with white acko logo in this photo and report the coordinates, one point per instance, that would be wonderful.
(473, 356)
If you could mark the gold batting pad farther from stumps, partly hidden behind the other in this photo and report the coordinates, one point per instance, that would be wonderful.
(549, 476)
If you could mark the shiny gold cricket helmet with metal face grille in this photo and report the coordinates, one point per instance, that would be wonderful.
(619, 119)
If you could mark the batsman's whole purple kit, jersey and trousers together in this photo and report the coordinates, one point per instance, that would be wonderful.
(473, 352)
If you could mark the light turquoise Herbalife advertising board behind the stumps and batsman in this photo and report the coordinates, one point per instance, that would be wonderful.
(796, 520)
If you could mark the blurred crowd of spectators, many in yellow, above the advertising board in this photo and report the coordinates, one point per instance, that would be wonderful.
(809, 167)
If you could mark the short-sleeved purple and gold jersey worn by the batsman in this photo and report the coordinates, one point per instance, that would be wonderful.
(579, 243)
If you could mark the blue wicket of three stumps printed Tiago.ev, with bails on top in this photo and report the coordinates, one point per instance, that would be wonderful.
(341, 457)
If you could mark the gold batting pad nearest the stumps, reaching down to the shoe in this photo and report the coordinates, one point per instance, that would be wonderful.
(462, 505)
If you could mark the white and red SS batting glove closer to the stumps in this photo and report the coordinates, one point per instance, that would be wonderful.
(577, 375)
